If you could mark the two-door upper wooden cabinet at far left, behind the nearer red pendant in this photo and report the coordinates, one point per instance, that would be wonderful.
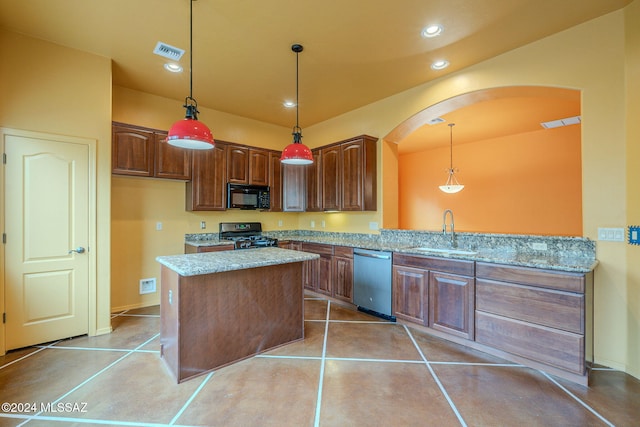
(140, 151)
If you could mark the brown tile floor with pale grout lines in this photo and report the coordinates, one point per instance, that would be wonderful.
(350, 370)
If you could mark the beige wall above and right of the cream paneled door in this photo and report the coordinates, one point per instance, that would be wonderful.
(53, 89)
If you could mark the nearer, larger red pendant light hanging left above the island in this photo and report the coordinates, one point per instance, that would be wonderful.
(189, 132)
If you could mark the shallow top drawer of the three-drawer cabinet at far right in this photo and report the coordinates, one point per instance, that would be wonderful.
(572, 282)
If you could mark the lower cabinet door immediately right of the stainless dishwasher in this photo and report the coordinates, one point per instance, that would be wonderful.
(410, 296)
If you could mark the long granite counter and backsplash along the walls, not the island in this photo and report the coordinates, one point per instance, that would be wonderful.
(564, 253)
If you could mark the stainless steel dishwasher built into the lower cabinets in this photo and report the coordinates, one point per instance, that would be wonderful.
(372, 282)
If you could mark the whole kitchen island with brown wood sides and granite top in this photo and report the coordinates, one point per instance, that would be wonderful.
(221, 307)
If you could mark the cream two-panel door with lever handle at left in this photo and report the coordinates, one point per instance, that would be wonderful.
(46, 179)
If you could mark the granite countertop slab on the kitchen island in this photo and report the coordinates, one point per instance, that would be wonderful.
(217, 262)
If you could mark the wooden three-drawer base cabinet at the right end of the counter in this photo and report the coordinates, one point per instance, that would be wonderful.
(541, 315)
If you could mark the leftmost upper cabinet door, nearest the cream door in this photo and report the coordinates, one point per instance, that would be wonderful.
(132, 150)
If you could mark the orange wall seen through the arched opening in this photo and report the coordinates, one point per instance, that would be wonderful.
(528, 183)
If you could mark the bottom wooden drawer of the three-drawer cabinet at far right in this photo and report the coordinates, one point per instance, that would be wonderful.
(561, 349)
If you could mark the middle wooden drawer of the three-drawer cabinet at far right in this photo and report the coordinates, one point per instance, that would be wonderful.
(556, 309)
